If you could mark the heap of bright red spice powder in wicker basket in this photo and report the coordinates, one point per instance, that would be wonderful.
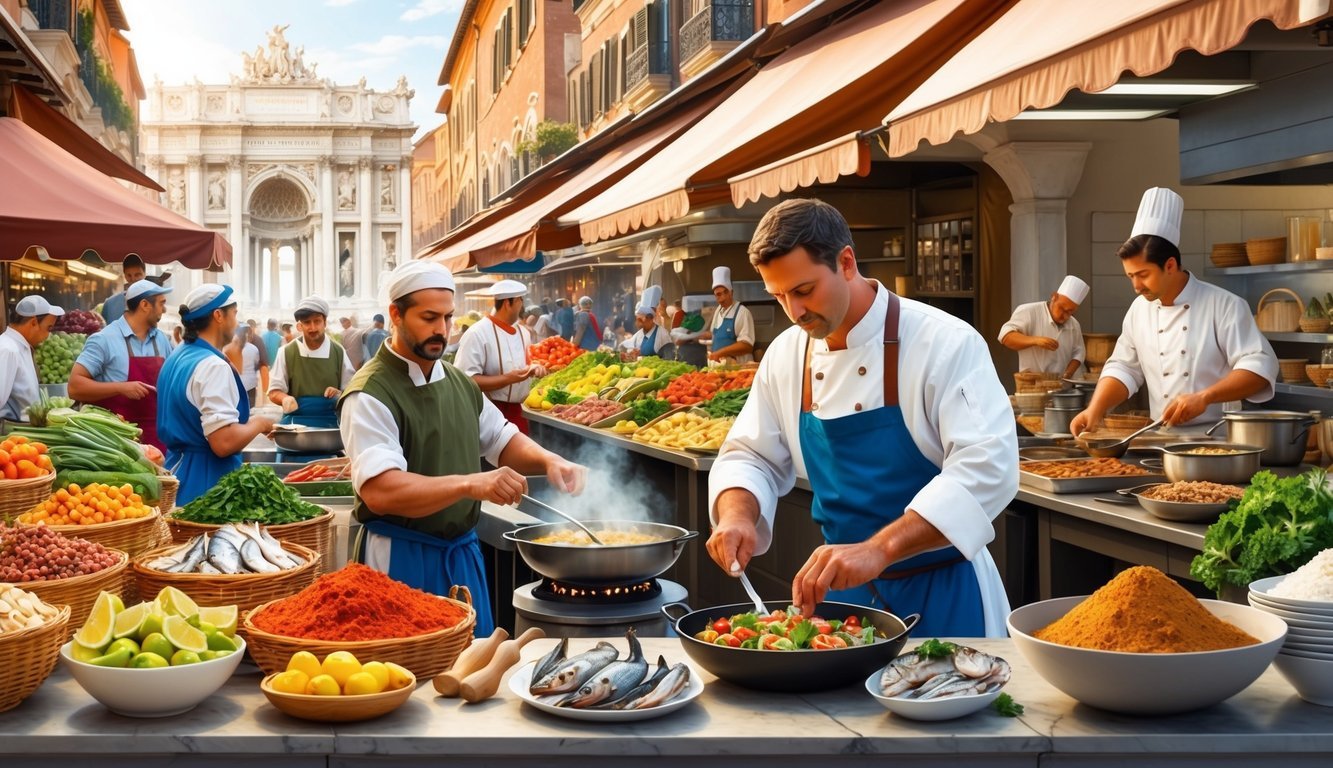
(359, 603)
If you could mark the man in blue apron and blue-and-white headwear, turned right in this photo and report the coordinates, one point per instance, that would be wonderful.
(205, 415)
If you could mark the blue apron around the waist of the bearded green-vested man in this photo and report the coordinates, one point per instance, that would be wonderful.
(435, 565)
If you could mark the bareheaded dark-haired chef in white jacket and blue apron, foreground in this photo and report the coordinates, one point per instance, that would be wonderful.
(895, 414)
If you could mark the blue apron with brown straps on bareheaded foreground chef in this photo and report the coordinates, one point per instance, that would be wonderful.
(864, 470)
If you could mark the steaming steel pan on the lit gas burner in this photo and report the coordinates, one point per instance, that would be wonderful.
(609, 565)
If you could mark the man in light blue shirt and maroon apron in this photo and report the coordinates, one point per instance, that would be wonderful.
(119, 365)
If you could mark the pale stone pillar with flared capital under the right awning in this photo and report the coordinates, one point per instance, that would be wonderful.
(1042, 177)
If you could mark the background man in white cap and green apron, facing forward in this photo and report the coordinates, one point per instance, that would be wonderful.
(310, 371)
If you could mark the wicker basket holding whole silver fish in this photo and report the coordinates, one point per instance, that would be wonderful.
(246, 591)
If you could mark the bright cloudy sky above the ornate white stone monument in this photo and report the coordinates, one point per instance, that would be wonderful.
(379, 39)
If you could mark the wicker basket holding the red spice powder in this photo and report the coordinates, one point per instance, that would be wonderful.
(425, 655)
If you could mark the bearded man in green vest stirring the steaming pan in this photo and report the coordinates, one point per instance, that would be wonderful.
(417, 431)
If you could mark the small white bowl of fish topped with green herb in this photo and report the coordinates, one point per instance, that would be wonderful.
(939, 682)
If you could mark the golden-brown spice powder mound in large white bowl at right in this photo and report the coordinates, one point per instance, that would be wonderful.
(1143, 611)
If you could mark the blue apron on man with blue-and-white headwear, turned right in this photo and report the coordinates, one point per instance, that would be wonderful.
(189, 453)
